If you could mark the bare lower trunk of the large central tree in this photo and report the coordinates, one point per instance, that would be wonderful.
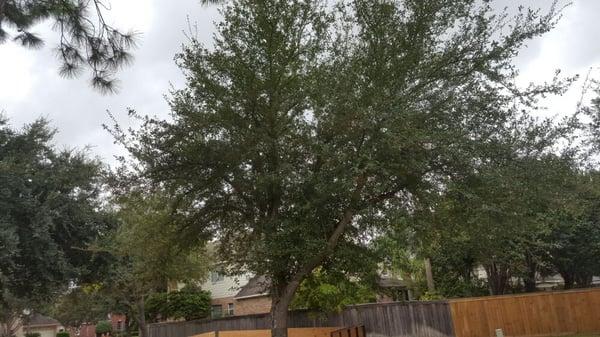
(282, 298)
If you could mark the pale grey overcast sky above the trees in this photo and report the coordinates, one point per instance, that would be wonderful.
(30, 86)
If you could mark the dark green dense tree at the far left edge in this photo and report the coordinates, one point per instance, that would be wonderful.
(50, 211)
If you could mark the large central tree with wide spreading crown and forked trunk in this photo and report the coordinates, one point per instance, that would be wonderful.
(308, 127)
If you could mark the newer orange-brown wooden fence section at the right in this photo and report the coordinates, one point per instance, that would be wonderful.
(537, 314)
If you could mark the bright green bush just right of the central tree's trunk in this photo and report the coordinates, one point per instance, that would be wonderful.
(330, 292)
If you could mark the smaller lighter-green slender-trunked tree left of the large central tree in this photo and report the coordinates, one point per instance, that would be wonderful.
(147, 253)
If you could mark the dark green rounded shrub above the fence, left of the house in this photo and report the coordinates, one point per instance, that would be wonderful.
(189, 303)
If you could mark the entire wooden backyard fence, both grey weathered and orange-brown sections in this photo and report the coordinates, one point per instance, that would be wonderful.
(538, 314)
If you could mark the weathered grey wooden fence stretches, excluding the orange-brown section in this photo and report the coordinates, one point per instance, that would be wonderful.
(422, 319)
